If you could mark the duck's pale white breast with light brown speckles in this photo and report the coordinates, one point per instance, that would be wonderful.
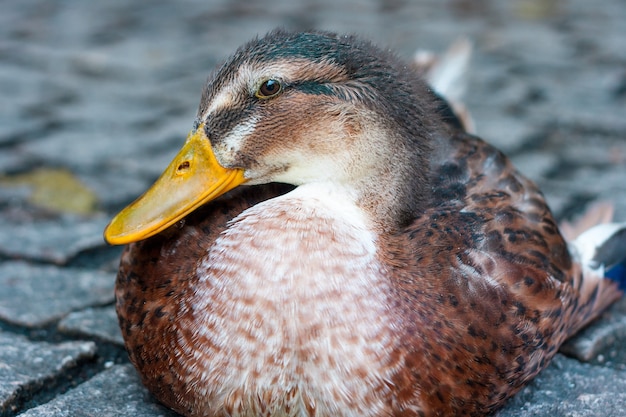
(290, 314)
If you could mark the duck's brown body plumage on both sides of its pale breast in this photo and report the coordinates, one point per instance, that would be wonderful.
(478, 317)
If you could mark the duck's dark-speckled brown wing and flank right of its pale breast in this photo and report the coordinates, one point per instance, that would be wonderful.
(492, 282)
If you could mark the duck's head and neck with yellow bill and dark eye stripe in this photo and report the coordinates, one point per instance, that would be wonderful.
(299, 108)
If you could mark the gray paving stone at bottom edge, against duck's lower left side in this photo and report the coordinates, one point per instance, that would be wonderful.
(114, 392)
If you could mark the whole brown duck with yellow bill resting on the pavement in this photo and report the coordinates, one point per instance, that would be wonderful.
(330, 241)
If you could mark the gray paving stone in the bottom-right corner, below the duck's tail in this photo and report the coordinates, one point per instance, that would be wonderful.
(568, 388)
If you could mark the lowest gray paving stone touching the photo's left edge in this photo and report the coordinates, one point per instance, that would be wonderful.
(27, 366)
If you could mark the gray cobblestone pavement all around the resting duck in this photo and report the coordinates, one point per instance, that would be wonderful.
(96, 97)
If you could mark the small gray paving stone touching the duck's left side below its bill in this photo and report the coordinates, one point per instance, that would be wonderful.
(100, 323)
